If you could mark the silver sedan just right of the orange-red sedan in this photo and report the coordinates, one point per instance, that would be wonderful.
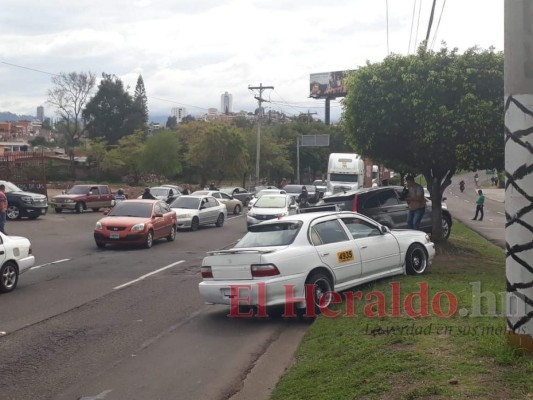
(195, 211)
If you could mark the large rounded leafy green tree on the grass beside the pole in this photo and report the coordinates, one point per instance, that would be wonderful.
(431, 113)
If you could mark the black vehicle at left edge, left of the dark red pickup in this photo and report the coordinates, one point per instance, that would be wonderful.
(23, 204)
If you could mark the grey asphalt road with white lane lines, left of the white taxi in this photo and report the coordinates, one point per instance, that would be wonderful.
(83, 325)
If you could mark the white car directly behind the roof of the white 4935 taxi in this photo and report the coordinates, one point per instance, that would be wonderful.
(269, 206)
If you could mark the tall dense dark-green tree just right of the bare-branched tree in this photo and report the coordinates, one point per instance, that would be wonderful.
(109, 114)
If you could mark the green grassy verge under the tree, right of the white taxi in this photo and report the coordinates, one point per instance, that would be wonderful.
(430, 357)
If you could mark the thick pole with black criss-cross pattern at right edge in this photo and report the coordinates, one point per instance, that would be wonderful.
(518, 96)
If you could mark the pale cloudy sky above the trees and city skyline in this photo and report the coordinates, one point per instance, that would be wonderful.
(190, 52)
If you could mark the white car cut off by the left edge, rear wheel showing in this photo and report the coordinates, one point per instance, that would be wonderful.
(15, 258)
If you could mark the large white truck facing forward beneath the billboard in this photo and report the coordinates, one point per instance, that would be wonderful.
(346, 172)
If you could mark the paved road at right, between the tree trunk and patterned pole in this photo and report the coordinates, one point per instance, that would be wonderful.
(463, 205)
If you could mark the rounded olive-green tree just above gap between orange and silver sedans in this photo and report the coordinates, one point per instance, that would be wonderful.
(161, 154)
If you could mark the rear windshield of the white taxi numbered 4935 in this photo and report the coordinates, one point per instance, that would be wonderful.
(265, 235)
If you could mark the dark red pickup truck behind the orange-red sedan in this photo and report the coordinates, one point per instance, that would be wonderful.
(83, 197)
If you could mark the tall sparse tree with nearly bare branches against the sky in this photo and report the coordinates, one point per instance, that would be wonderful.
(69, 96)
